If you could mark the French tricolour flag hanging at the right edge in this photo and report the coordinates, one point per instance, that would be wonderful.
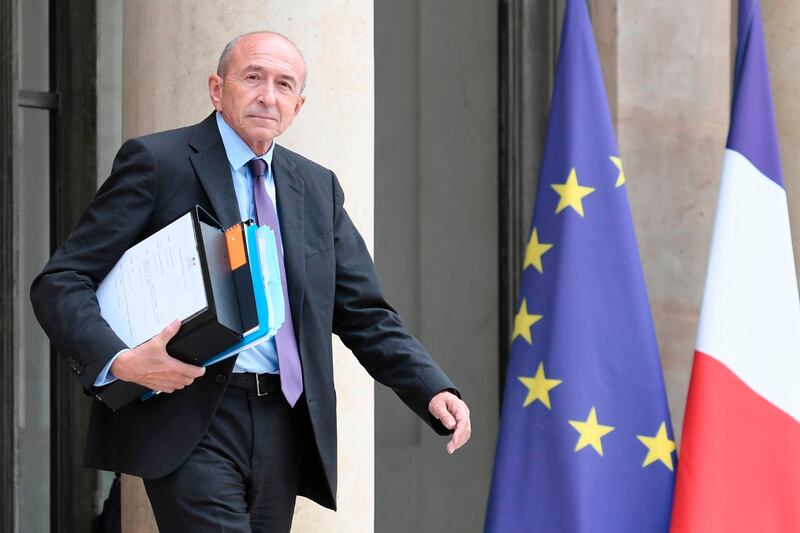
(739, 465)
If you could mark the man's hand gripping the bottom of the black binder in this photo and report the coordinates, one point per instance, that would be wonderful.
(150, 365)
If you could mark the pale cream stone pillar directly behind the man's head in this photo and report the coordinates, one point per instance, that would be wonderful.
(169, 49)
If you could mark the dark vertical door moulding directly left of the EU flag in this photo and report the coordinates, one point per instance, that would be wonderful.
(529, 32)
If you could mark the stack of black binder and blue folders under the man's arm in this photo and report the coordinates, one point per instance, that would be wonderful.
(224, 286)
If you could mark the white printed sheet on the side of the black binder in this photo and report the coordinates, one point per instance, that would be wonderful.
(154, 282)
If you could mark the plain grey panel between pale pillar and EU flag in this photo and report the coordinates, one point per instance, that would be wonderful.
(436, 247)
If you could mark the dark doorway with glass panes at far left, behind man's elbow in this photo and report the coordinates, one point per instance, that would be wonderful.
(48, 147)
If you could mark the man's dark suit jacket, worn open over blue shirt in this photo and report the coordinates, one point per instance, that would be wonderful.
(332, 287)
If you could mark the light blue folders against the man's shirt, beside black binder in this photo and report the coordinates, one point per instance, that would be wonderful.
(262, 255)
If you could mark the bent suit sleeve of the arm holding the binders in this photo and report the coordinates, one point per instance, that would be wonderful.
(63, 295)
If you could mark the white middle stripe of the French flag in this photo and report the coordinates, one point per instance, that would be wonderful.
(750, 319)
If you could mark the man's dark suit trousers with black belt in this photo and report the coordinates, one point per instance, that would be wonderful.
(242, 477)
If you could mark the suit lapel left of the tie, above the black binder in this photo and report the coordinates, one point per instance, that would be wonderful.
(213, 170)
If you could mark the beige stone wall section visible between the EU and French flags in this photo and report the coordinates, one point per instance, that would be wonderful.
(668, 67)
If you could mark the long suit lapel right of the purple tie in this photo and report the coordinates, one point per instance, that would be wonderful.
(289, 190)
